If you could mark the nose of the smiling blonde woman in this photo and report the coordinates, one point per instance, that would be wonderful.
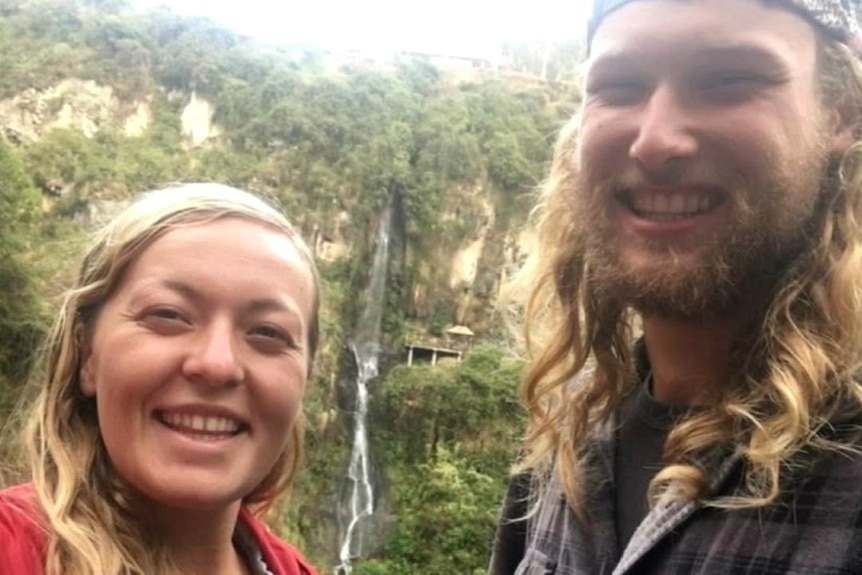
(215, 356)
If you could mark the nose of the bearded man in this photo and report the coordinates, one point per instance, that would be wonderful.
(664, 131)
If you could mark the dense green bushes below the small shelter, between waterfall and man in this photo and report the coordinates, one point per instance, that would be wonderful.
(448, 435)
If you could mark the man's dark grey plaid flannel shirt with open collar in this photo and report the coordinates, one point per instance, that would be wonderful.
(814, 529)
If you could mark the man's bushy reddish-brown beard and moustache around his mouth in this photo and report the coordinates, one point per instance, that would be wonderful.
(773, 222)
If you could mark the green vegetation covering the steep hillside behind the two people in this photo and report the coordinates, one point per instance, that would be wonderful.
(329, 139)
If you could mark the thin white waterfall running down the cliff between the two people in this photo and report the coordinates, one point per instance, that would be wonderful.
(357, 500)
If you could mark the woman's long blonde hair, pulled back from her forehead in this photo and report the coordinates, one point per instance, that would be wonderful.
(94, 523)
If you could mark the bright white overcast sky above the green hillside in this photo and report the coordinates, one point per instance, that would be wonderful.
(454, 27)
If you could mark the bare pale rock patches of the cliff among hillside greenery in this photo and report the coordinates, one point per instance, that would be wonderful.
(463, 272)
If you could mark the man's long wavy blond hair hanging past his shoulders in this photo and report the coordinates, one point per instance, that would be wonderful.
(798, 372)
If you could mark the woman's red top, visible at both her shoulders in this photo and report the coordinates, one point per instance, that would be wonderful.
(24, 536)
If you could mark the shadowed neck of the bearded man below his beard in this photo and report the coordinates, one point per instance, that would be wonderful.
(689, 359)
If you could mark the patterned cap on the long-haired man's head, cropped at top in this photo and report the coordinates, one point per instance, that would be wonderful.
(840, 18)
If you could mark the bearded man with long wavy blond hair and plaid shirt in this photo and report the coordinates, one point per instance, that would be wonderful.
(694, 400)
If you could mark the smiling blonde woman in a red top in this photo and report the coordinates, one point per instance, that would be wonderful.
(169, 414)
